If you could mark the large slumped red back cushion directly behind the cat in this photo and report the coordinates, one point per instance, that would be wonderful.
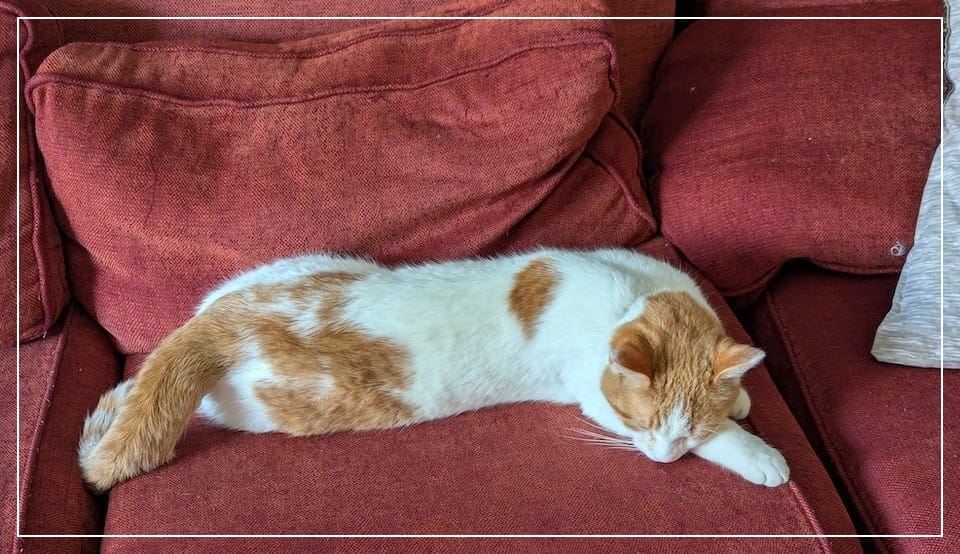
(174, 165)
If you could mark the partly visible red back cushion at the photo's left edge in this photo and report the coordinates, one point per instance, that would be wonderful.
(42, 281)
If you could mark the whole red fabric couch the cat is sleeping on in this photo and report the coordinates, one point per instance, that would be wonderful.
(777, 161)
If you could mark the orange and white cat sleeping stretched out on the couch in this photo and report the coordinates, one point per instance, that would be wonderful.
(320, 344)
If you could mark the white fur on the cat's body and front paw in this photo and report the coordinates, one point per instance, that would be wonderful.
(467, 350)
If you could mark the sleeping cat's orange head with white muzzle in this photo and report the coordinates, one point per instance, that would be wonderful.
(674, 375)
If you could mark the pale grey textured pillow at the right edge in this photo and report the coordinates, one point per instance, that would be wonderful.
(910, 334)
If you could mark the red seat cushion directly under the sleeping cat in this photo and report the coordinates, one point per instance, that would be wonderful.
(511, 467)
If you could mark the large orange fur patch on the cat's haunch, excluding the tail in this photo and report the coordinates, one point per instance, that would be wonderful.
(335, 378)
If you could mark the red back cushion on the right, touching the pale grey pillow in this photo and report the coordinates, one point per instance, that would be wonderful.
(775, 140)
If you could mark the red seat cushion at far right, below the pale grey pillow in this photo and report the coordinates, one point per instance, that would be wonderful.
(879, 423)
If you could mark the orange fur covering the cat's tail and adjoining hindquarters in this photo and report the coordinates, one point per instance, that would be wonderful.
(141, 422)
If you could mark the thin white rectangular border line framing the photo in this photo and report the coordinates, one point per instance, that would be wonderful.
(376, 536)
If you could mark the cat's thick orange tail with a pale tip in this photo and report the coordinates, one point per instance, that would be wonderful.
(136, 425)
